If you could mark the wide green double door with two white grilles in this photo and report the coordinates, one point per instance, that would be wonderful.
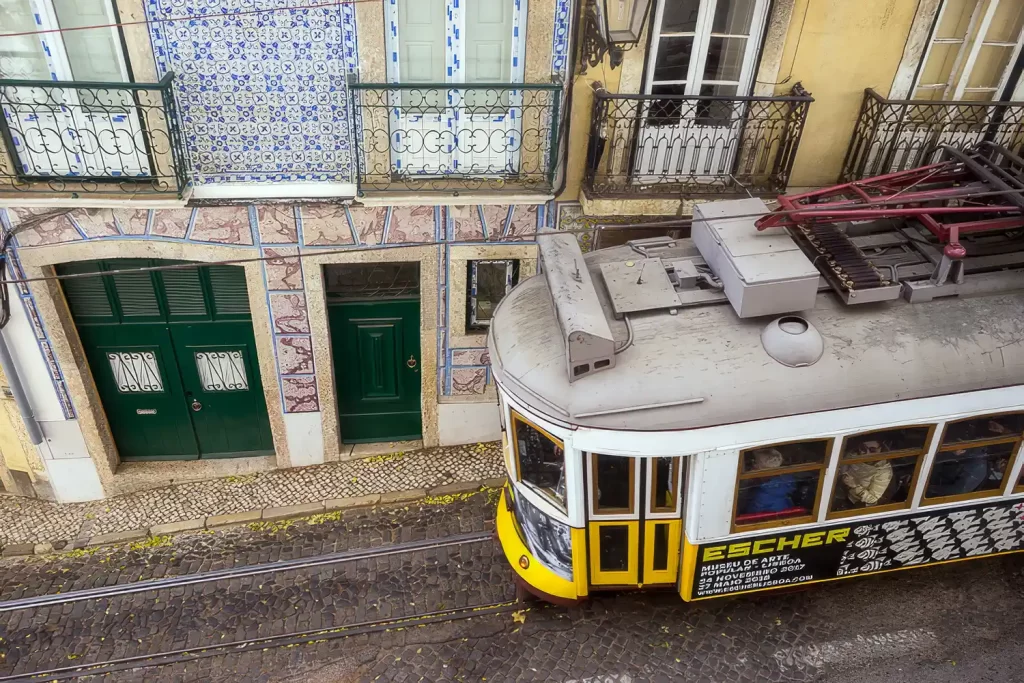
(174, 356)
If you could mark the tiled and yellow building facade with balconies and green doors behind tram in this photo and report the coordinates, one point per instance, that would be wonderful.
(266, 234)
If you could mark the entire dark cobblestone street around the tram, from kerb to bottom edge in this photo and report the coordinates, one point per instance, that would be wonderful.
(959, 622)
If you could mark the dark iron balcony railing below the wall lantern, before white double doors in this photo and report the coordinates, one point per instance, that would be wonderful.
(690, 146)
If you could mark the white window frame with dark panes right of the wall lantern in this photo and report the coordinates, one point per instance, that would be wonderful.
(702, 40)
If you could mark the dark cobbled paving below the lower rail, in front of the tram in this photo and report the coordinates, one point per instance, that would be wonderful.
(943, 625)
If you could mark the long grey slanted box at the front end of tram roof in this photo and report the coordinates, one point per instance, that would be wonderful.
(586, 334)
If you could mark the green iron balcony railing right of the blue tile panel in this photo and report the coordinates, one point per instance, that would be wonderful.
(455, 138)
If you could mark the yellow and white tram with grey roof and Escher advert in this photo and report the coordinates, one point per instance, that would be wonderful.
(705, 414)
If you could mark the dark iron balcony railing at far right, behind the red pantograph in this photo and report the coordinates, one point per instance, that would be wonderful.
(899, 135)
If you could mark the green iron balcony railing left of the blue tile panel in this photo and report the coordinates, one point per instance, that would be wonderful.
(62, 137)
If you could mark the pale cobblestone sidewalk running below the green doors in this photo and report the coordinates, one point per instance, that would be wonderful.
(26, 522)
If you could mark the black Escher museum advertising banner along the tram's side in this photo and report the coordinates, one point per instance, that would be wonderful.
(859, 548)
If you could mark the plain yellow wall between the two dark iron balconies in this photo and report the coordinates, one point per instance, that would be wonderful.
(837, 49)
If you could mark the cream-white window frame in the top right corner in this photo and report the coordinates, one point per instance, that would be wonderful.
(969, 51)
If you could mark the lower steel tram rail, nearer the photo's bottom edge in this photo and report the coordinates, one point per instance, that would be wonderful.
(283, 641)
